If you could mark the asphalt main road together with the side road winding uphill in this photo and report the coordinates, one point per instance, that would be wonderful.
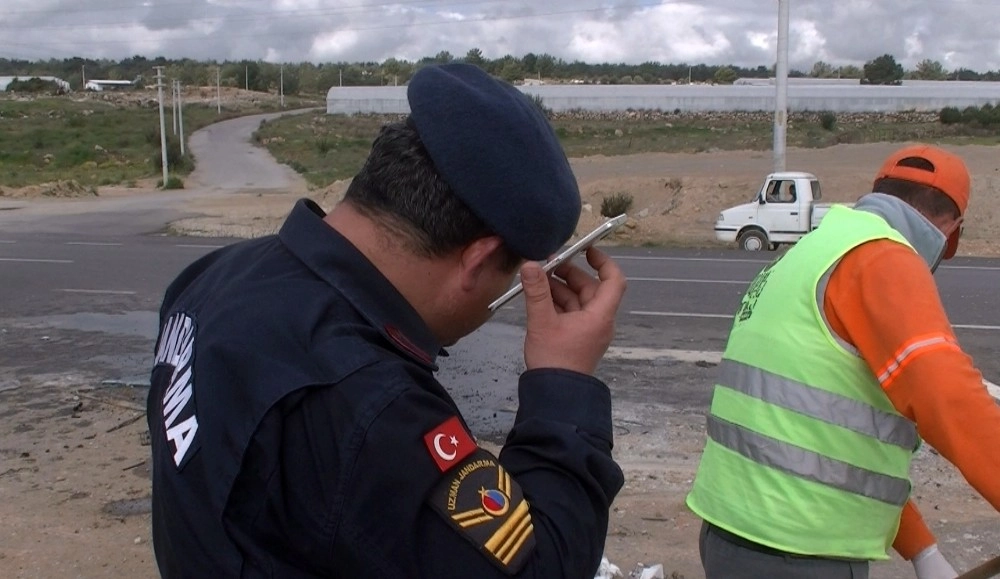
(81, 282)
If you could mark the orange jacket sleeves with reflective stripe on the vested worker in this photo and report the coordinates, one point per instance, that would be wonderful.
(882, 299)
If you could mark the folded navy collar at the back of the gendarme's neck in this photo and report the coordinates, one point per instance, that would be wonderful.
(334, 259)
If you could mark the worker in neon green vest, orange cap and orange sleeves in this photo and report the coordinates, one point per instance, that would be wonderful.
(840, 360)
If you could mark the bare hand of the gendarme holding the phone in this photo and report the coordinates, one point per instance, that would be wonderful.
(571, 317)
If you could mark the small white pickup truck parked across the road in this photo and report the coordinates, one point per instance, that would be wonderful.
(783, 210)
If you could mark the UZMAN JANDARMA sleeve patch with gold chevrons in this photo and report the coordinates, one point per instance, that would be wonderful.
(486, 506)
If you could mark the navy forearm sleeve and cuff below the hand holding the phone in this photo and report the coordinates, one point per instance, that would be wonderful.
(560, 453)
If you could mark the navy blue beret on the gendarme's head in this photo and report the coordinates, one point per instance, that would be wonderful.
(499, 154)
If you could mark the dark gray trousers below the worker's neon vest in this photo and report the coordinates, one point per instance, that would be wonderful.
(725, 559)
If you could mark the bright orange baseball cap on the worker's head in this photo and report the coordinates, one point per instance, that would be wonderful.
(948, 174)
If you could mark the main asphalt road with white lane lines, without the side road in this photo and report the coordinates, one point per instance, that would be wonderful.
(107, 288)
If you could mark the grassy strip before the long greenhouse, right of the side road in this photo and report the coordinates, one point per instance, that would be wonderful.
(326, 148)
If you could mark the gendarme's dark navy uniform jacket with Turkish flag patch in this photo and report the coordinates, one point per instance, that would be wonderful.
(298, 431)
